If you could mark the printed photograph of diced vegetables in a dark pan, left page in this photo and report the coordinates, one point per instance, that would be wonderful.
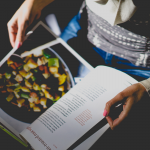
(30, 85)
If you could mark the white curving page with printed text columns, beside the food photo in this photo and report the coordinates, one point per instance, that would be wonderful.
(77, 111)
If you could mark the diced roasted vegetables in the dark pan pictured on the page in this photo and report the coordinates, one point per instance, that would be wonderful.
(32, 81)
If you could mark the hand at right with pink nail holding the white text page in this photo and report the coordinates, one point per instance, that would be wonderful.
(128, 97)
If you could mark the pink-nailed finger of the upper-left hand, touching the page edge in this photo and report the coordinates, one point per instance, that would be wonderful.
(20, 35)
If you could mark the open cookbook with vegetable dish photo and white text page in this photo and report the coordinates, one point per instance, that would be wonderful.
(51, 96)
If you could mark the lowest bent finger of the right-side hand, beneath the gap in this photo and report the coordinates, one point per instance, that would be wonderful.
(123, 115)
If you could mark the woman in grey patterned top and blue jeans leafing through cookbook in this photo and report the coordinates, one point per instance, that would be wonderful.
(110, 22)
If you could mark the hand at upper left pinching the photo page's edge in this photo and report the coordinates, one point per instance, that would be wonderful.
(24, 16)
